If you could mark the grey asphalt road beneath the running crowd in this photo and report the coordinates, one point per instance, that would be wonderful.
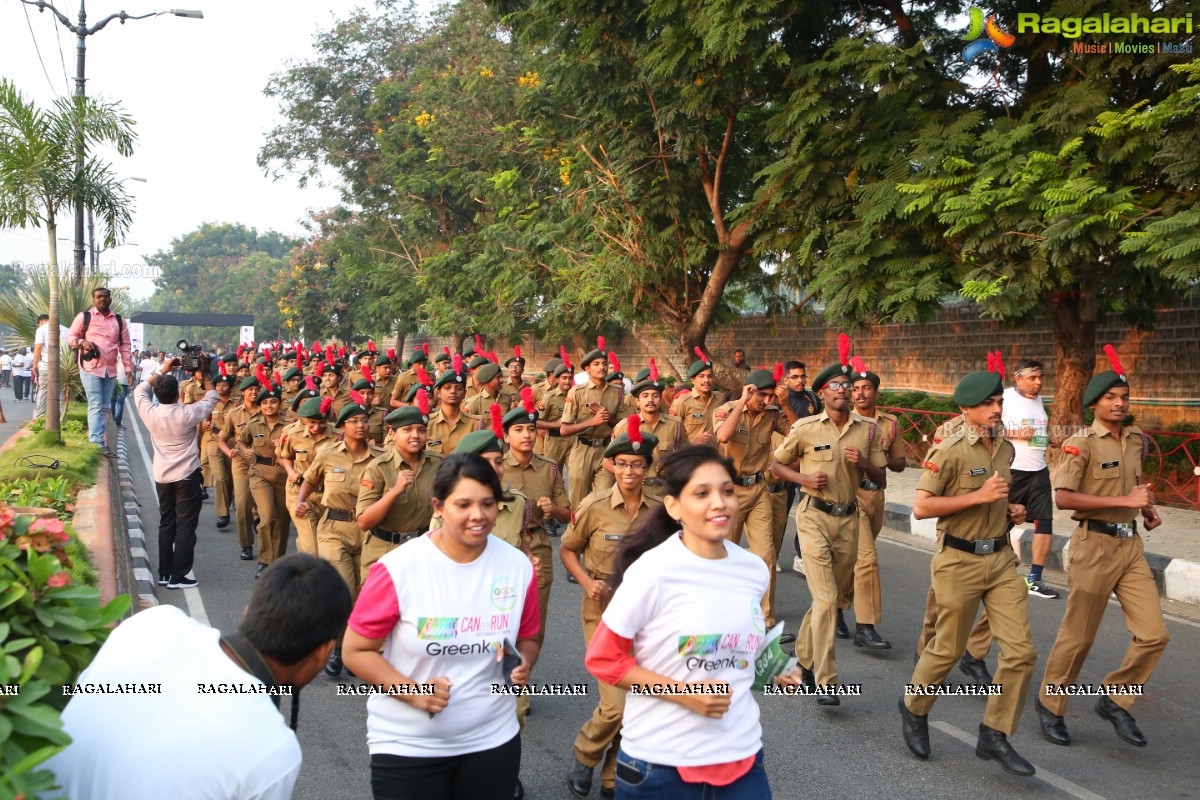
(855, 750)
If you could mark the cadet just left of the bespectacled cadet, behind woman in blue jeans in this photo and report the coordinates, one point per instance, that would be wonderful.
(745, 432)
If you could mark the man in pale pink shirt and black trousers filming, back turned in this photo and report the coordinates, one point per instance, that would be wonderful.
(177, 470)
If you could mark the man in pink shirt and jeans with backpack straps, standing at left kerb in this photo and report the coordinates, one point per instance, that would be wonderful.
(101, 338)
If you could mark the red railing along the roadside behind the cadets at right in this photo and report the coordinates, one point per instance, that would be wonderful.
(1173, 464)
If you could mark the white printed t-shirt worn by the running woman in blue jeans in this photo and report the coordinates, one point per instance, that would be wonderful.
(685, 630)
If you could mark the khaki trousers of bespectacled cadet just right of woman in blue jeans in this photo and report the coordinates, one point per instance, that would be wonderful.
(829, 546)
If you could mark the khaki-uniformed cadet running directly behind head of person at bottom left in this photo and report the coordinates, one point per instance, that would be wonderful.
(338, 471)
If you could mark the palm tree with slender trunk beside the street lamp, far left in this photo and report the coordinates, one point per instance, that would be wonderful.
(39, 178)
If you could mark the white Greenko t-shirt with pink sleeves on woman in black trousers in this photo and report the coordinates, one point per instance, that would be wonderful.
(452, 618)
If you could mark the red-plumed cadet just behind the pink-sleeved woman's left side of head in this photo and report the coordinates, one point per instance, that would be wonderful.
(395, 491)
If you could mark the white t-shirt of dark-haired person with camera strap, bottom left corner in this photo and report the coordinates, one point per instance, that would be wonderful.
(182, 743)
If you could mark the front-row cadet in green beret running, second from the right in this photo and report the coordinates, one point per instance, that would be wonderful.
(965, 485)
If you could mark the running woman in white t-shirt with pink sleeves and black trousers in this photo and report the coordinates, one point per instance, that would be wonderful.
(439, 612)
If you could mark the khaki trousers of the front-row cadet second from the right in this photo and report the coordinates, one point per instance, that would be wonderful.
(962, 581)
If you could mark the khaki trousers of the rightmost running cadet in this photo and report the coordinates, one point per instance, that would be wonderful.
(1100, 567)
